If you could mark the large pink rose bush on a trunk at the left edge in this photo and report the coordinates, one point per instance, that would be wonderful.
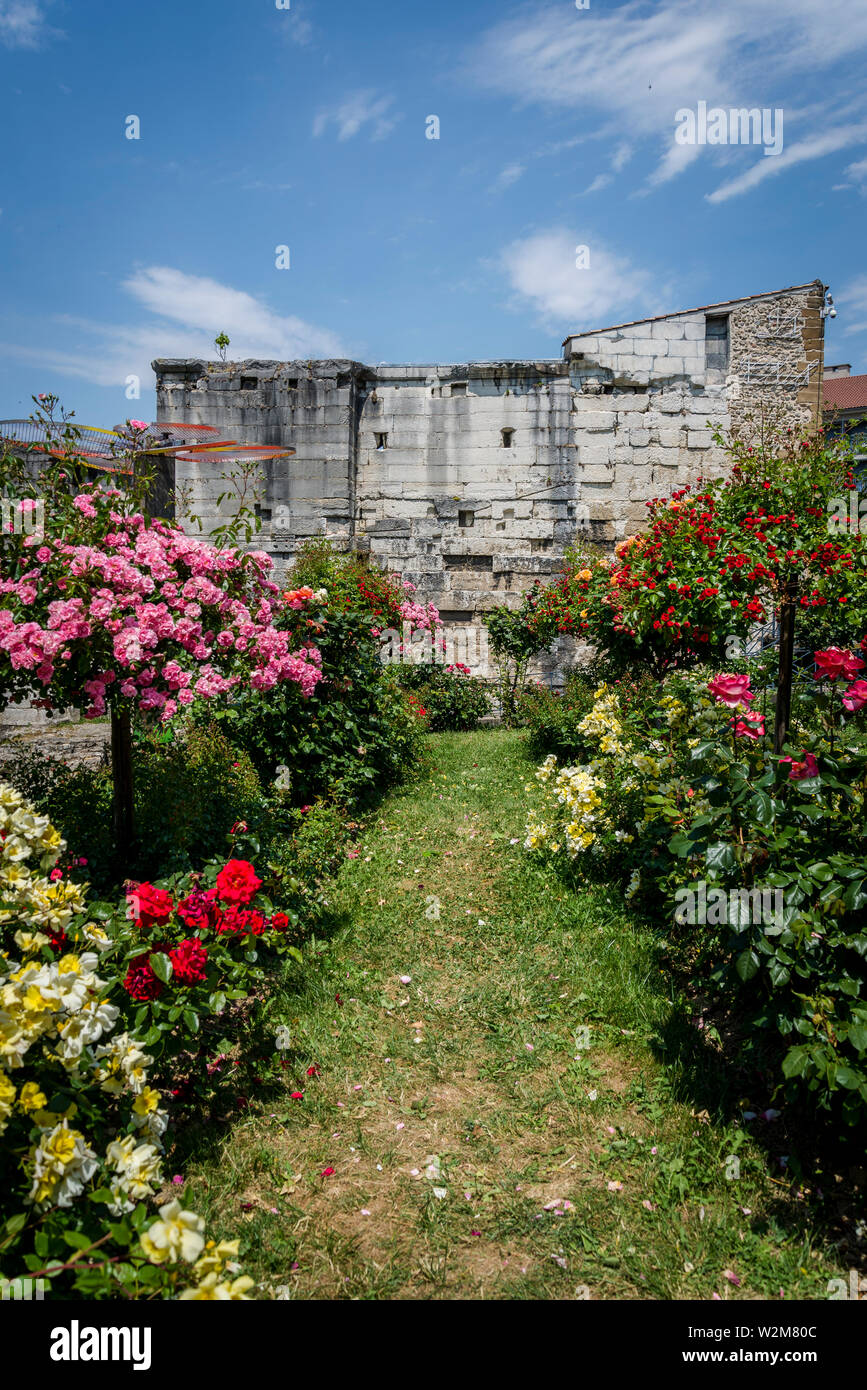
(115, 607)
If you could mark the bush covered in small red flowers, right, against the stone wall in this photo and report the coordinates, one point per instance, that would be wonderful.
(718, 559)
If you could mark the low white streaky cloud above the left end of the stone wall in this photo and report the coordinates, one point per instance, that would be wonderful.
(188, 313)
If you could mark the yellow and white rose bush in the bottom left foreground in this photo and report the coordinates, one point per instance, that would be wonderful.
(81, 1129)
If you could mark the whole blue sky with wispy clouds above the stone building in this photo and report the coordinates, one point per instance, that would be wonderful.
(305, 127)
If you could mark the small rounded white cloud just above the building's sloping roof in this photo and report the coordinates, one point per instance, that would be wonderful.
(541, 270)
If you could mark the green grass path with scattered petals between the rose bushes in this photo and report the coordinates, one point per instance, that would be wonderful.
(463, 1138)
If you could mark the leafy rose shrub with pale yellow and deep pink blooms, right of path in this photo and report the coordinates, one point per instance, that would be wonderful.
(687, 799)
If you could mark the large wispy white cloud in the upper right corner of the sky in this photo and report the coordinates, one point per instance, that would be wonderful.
(629, 69)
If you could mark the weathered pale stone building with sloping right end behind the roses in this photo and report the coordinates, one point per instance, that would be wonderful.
(473, 479)
